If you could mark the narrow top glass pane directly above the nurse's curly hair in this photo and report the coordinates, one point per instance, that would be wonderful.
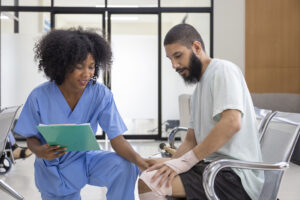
(85, 3)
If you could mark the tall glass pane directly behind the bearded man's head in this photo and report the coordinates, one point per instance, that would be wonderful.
(172, 83)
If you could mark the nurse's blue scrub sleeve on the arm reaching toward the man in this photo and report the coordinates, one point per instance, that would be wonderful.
(110, 120)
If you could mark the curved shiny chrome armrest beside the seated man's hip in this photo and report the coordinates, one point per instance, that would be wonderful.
(211, 171)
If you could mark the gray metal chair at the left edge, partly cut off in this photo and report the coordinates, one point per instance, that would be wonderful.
(7, 117)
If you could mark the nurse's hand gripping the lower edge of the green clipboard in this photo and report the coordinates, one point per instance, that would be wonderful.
(48, 152)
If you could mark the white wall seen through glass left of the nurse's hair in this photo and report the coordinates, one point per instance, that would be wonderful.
(19, 72)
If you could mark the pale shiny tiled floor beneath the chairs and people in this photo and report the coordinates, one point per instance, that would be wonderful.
(22, 180)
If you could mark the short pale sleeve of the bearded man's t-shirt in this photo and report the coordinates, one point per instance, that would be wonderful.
(227, 91)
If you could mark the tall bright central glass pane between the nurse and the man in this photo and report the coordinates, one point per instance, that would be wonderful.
(134, 71)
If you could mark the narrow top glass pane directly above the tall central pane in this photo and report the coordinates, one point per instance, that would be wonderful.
(132, 3)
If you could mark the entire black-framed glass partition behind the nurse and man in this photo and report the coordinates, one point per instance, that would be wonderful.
(144, 95)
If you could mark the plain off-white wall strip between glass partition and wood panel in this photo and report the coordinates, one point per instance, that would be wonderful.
(229, 31)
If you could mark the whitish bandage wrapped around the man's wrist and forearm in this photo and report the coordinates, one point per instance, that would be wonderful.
(183, 163)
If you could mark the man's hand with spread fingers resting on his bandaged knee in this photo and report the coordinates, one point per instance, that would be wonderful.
(163, 171)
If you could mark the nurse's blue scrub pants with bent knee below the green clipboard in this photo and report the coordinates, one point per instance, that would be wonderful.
(104, 169)
